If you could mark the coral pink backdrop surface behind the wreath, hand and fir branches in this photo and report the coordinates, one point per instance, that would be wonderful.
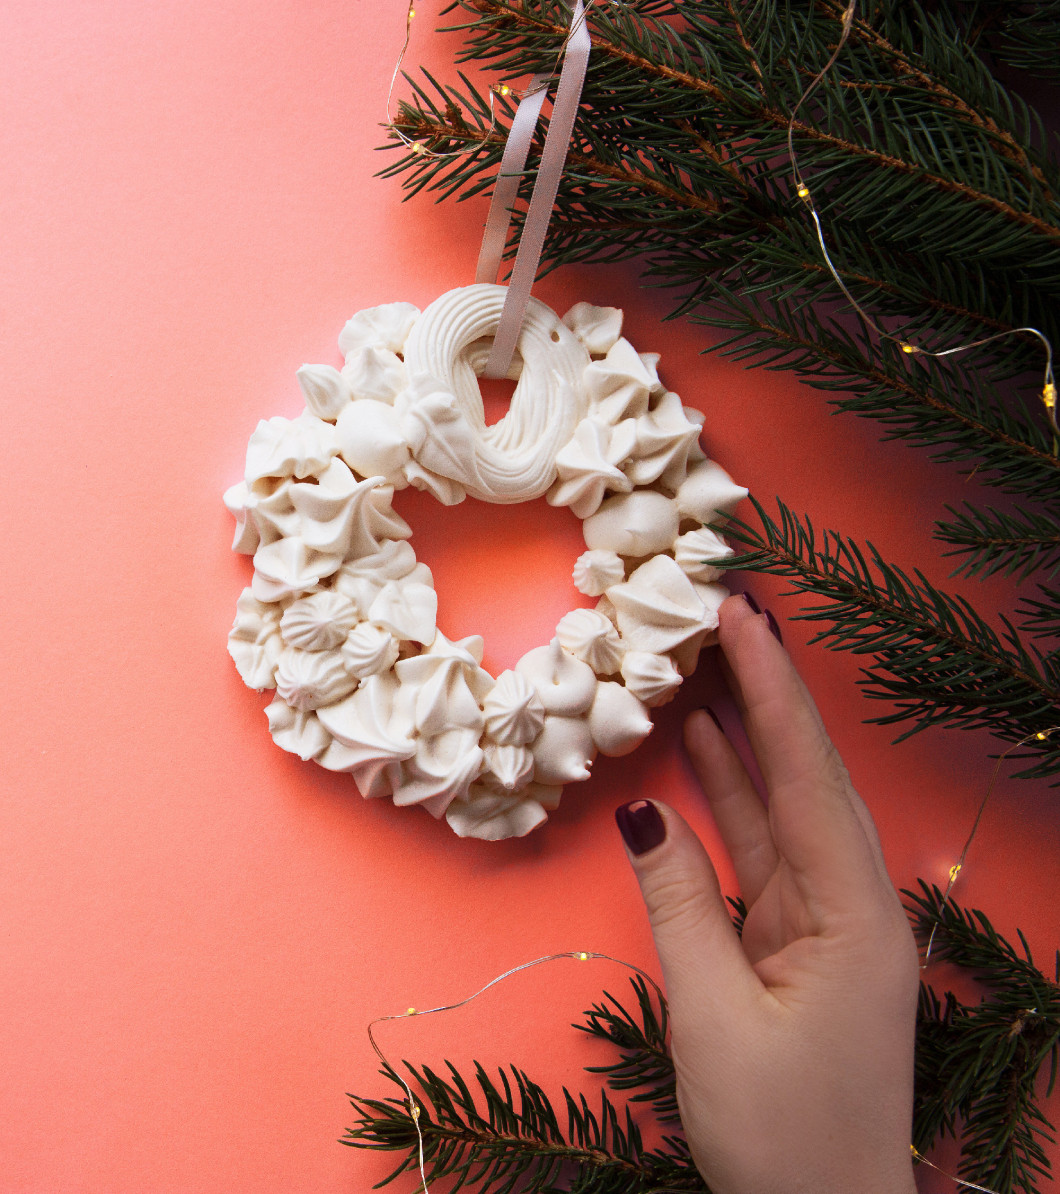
(196, 927)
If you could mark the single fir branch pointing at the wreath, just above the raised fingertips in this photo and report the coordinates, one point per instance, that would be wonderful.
(935, 657)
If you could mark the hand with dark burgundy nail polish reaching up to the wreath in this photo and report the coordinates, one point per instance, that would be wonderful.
(793, 1047)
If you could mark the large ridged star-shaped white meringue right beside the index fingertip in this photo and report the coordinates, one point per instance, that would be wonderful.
(660, 610)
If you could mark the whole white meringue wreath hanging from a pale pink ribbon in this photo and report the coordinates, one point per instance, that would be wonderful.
(340, 619)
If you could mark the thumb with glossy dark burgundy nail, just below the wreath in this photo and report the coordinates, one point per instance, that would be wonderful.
(706, 971)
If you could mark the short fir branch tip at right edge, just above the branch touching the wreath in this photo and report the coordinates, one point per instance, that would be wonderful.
(1019, 544)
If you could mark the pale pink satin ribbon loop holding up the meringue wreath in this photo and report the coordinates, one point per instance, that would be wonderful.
(550, 171)
